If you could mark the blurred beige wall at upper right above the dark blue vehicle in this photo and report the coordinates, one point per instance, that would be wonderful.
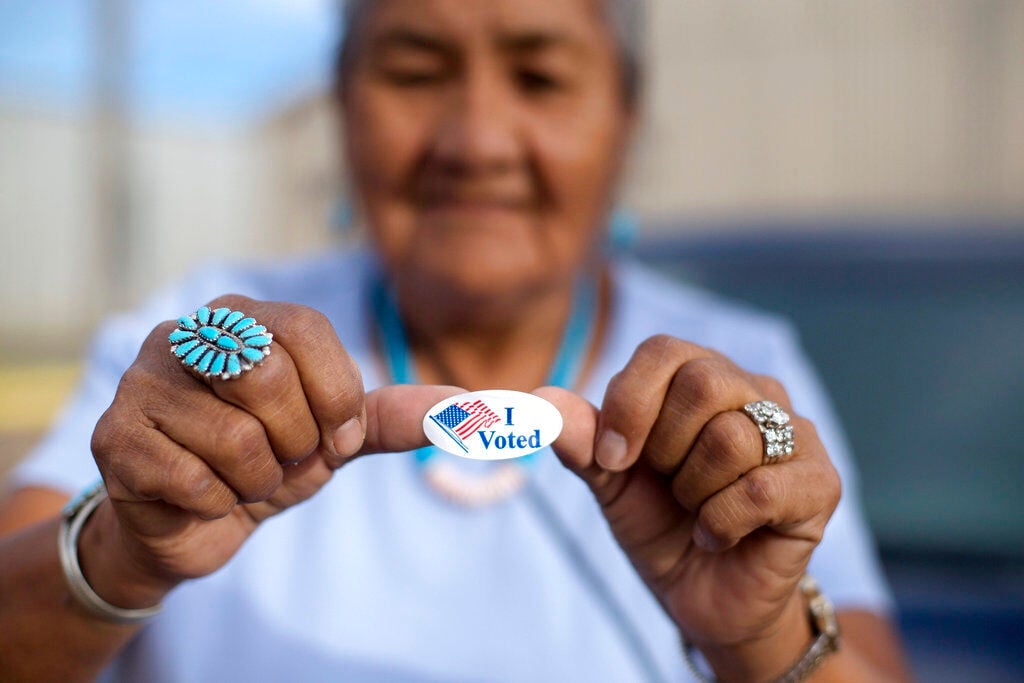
(871, 107)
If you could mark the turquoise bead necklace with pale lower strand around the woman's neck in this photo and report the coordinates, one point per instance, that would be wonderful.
(439, 468)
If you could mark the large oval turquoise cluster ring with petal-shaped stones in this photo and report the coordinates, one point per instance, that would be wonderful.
(221, 344)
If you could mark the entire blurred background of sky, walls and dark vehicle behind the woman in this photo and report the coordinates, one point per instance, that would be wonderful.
(858, 166)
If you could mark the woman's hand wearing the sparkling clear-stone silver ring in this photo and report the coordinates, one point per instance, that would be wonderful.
(721, 540)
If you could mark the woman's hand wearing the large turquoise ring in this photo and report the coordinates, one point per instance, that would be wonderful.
(193, 466)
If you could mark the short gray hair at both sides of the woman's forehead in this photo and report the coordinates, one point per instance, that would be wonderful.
(626, 19)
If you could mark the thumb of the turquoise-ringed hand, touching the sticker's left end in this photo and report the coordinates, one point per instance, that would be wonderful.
(395, 416)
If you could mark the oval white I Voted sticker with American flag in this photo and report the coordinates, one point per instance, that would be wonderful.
(497, 424)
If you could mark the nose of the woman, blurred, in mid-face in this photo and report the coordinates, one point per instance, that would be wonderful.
(479, 132)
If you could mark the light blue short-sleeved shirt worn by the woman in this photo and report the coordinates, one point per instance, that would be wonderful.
(378, 579)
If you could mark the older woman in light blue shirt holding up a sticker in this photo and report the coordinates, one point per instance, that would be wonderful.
(485, 140)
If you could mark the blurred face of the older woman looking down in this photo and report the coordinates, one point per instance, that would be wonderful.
(484, 139)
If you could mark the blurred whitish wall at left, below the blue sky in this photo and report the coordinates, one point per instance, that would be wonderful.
(194, 196)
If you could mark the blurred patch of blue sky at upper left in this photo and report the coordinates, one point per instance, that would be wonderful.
(221, 62)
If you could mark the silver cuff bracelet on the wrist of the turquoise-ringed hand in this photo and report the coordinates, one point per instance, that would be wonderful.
(74, 517)
